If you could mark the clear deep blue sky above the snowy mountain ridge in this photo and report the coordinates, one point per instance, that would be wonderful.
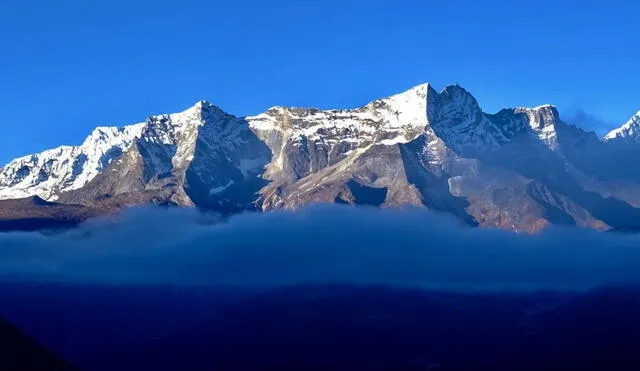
(67, 66)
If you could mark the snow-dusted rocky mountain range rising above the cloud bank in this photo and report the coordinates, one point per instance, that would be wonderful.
(520, 169)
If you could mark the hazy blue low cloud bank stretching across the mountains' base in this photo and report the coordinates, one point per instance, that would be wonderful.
(319, 243)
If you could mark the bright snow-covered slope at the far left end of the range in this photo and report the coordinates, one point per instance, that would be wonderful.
(65, 168)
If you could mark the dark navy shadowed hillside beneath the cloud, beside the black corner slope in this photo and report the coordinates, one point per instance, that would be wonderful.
(338, 327)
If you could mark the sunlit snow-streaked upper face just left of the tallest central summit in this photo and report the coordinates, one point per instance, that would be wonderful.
(306, 140)
